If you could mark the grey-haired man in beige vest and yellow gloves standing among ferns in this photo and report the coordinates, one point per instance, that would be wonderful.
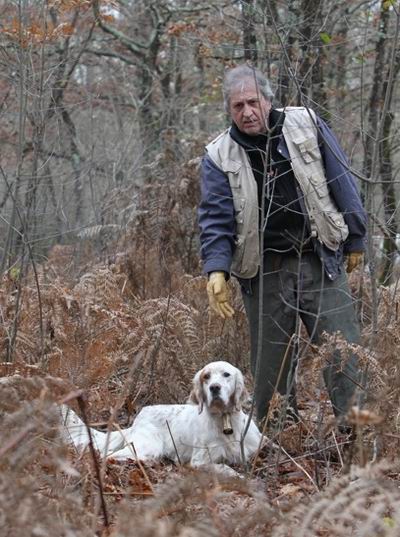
(278, 199)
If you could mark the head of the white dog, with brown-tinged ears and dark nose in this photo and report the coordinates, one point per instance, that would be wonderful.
(219, 386)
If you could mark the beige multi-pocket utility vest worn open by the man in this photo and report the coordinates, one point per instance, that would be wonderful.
(326, 222)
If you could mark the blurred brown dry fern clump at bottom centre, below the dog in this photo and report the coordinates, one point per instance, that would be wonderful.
(197, 504)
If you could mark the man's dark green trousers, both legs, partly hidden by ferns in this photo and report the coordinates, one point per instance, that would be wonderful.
(297, 288)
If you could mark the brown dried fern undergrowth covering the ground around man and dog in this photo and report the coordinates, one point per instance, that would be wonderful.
(131, 330)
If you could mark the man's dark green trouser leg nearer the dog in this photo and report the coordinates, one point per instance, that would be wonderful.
(274, 368)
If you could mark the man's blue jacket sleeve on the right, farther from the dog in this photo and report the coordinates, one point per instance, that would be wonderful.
(343, 188)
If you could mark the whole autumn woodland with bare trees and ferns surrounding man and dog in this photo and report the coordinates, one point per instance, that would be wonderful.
(105, 107)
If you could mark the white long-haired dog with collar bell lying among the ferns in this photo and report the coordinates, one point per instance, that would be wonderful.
(190, 433)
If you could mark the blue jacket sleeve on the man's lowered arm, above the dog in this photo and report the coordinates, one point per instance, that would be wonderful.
(216, 218)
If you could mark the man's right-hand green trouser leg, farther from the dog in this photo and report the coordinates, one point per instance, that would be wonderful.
(327, 306)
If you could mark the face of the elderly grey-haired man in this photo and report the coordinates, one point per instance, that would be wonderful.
(248, 108)
